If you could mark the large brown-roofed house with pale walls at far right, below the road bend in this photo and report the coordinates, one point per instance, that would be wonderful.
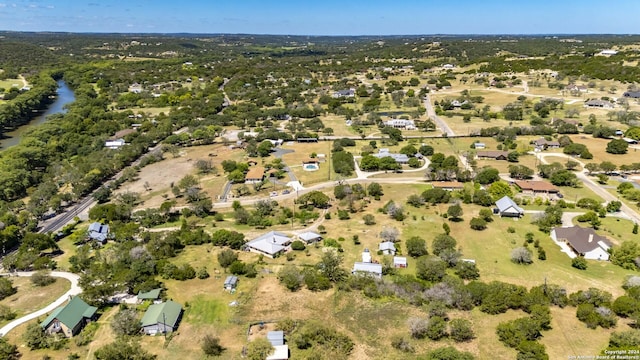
(583, 242)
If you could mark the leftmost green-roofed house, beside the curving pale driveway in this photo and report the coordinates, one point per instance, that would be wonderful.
(69, 319)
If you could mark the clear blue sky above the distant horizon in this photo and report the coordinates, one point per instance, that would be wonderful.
(328, 17)
